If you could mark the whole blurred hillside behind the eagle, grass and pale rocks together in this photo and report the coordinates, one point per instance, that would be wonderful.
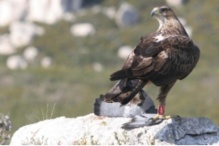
(56, 56)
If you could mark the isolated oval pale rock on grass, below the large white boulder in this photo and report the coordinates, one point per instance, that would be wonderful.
(82, 29)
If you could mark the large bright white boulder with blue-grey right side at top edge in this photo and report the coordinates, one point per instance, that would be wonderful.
(50, 11)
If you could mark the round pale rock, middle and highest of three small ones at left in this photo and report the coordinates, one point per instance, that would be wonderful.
(30, 53)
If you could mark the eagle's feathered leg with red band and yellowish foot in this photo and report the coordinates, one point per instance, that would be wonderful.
(164, 90)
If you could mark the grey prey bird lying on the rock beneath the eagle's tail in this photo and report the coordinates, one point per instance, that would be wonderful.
(141, 104)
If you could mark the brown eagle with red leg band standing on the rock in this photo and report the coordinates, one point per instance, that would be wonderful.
(161, 57)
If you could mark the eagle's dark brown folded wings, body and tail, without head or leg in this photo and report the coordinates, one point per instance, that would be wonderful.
(160, 62)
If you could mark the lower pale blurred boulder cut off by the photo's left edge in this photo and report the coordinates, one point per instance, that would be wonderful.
(6, 48)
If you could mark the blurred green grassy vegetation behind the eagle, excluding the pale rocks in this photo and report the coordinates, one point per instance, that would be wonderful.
(71, 84)
